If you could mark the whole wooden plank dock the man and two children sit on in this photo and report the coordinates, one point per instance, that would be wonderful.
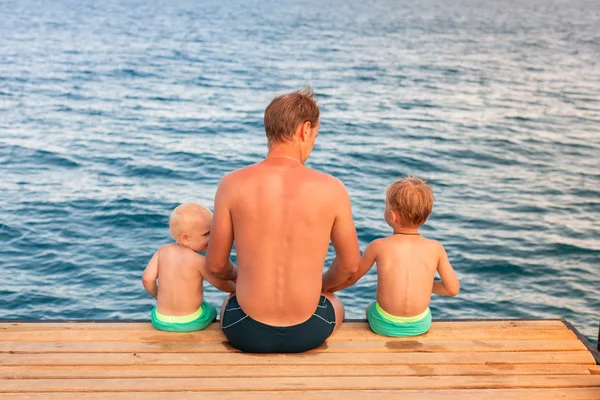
(483, 360)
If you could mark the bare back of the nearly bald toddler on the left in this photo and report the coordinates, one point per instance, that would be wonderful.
(180, 289)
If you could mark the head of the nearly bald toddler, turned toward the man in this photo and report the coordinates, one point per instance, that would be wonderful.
(190, 225)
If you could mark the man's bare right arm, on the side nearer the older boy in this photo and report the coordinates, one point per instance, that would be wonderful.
(345, 243)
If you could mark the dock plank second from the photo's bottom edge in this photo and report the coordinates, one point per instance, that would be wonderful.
(297, 383)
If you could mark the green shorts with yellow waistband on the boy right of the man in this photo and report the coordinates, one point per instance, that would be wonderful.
(386, 324)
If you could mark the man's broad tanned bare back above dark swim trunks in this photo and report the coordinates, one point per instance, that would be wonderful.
(282, 214)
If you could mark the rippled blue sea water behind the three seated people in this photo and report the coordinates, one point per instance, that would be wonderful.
(113, 112)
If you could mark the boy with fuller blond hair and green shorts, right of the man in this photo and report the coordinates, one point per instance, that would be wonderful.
(406, 264)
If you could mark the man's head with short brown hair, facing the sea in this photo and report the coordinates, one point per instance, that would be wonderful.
(293, 117)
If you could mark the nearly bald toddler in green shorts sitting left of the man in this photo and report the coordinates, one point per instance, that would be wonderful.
(180, 272)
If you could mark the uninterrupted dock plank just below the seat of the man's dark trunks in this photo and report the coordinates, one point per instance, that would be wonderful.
(562, 357)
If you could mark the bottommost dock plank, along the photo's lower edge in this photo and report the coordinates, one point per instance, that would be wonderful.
(459, 394)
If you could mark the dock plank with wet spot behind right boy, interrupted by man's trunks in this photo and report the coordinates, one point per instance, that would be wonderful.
(391, 346)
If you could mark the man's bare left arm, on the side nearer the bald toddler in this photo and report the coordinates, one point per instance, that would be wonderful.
(221, 237)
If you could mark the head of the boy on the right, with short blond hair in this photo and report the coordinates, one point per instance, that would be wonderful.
(412, 199)
